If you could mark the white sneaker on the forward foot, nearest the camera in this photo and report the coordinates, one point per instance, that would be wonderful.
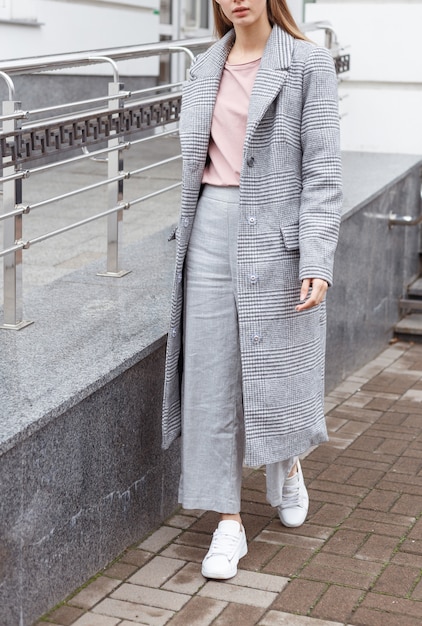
(228, 545)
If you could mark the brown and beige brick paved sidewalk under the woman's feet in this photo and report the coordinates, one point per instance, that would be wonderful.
(356, 561)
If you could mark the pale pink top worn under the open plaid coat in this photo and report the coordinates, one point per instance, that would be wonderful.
(228, 126)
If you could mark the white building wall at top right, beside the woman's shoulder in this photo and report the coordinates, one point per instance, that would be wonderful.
(382, 95)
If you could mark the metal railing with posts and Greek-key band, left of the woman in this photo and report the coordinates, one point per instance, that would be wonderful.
(71, 125)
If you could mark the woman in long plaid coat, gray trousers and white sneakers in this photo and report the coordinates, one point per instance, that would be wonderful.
(260, 213)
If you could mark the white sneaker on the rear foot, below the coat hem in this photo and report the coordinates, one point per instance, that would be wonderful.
(295, 500)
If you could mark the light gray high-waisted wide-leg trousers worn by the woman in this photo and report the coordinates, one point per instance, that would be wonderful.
(212, 416)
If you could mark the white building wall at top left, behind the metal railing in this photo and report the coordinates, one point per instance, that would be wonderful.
(42, 27)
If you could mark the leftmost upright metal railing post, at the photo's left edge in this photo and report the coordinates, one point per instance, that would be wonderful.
(12, 262)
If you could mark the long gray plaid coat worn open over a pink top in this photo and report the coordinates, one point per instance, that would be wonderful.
(289, 215)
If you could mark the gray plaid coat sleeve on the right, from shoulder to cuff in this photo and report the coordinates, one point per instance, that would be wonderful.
(321, 198)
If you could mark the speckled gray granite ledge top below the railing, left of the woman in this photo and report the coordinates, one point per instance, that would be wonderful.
(88, 329)
